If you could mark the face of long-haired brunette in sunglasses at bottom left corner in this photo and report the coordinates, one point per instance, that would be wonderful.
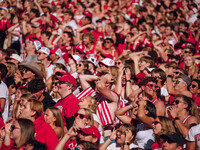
(15, 129)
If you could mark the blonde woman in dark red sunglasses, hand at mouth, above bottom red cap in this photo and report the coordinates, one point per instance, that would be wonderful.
(83, 118)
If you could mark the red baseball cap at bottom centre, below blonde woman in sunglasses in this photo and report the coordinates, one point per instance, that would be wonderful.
(92, 130)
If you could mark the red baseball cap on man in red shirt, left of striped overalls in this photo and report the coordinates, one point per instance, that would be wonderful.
(66, 77)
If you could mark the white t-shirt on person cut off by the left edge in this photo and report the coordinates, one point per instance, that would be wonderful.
(4, 94)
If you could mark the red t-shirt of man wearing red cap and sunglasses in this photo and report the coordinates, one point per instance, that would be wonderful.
(68, 106)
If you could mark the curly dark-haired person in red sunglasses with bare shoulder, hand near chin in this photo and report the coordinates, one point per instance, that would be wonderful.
(148, 87)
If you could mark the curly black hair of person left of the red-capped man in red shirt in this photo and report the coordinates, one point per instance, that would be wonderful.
(35, 85)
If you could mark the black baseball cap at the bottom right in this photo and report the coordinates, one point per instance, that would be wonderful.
(174, 137)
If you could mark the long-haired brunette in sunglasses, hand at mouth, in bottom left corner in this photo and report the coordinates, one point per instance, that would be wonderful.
(21, 131)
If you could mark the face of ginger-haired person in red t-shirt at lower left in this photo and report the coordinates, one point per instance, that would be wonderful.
(26, 112)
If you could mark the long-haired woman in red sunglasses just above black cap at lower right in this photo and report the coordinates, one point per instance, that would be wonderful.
(161, 125)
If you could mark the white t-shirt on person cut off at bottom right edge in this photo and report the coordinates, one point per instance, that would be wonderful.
(194, 135)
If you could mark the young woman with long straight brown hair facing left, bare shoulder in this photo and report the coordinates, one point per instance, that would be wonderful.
(53, 117)
